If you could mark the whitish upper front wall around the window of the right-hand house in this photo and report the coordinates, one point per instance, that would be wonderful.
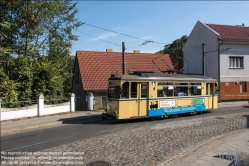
(232, 75)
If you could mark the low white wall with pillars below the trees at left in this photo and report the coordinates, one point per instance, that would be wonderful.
(37, 109)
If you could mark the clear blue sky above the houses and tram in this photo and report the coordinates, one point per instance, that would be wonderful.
(159, 21)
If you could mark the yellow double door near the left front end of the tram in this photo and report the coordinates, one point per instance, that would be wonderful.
(139, 94)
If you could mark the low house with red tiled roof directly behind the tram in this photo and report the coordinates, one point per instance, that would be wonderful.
(92, 70)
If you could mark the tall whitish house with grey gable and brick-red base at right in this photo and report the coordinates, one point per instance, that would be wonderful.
(222, 52)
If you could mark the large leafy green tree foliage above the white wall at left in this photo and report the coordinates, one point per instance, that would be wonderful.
(36, 39)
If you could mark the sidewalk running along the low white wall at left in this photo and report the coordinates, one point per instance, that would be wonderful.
(36, 122)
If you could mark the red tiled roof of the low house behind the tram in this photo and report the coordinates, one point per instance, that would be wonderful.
(96, 67)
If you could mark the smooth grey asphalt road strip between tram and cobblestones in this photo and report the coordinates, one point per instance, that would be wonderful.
(39, 139)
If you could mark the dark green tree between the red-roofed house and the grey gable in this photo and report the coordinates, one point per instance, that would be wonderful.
(175, 50)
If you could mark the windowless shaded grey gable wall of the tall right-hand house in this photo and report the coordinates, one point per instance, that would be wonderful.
(193, 51)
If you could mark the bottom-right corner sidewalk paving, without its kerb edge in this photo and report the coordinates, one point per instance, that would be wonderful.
(232, 151)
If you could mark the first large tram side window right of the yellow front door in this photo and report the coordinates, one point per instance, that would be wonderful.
(164, 89)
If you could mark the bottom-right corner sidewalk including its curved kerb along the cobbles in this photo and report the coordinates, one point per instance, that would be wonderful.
(230, 149)
